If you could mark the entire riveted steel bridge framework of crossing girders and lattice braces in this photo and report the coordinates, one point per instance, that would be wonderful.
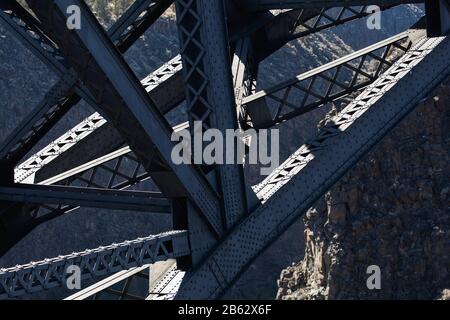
(220, 222)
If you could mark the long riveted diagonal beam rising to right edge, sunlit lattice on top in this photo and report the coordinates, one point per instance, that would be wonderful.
(315, 167)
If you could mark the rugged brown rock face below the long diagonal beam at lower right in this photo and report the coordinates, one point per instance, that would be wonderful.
(392, 210)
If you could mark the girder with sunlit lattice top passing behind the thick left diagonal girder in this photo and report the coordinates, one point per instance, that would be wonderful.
(98, 137)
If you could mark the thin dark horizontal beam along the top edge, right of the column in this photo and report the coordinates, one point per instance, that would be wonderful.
(262, 5)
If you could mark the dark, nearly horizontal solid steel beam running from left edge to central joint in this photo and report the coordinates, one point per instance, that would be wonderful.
(87, 197)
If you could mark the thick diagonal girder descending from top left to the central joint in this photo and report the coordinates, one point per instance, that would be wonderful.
(123, 100)
